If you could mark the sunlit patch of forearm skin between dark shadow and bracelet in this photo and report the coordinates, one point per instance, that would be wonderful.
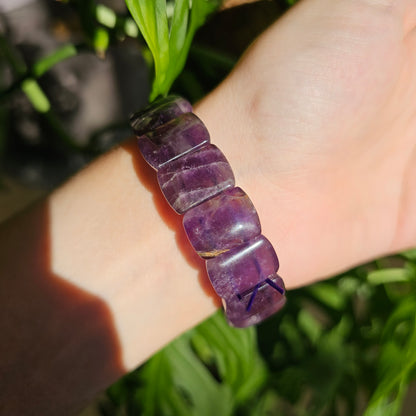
(129, 252)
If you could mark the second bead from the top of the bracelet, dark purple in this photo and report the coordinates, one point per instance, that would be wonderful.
(173, 139)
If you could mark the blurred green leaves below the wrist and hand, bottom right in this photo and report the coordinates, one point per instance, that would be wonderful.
(342, 347)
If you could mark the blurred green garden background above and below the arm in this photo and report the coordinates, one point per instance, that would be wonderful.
(71, 73)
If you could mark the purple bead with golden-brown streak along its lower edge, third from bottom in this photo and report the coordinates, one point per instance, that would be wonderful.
(221, 223)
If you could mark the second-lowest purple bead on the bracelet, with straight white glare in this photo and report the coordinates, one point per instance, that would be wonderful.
(240, 269)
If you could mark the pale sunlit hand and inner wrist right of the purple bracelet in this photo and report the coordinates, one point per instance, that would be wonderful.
(327, 123)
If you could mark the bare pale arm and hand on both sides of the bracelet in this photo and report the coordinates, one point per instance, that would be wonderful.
(318, 121)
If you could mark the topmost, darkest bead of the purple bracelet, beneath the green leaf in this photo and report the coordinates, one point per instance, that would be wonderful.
(159, 112)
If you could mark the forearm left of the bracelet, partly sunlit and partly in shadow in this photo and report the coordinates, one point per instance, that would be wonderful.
(93, 282)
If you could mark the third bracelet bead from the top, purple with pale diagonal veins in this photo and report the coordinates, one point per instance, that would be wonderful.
(195, 177)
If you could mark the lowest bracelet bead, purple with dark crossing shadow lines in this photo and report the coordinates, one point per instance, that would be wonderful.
(251, 310)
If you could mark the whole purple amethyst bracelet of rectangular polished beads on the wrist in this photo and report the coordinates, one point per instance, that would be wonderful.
(219, 218)
